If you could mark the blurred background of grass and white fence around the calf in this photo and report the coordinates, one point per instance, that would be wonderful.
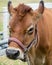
(4, 19)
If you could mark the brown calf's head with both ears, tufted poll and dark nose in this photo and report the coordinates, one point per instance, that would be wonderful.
(22, 27)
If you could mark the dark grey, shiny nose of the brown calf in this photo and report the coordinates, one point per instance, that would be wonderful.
(12, 53)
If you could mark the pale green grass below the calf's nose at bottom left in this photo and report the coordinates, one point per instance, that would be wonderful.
(5, 61)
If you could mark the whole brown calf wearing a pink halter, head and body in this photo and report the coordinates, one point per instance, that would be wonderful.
(30, 34)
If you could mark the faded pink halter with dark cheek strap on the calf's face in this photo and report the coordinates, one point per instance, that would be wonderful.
(33, 42)
